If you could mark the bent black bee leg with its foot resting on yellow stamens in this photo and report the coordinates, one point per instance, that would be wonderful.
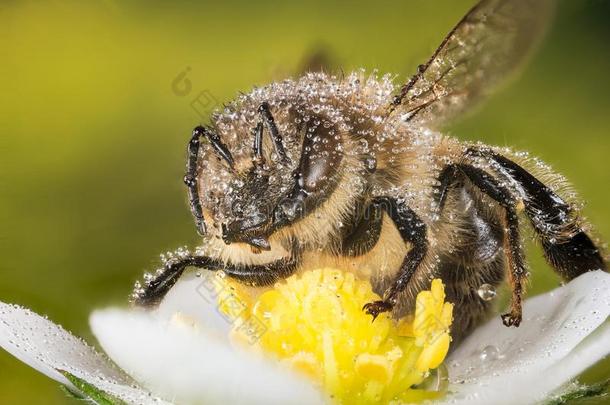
(413, 231)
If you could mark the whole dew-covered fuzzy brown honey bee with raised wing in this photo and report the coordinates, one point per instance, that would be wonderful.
(350, 172)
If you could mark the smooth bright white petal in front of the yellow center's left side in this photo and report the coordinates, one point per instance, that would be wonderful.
(186, 364)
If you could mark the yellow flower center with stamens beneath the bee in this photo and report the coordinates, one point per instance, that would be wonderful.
(314, 324)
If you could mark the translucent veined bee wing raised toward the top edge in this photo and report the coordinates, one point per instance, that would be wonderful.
(490, 41)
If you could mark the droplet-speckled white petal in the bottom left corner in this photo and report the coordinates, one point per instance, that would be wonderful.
(50, 349)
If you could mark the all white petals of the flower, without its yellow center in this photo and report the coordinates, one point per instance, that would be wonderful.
(179, 353)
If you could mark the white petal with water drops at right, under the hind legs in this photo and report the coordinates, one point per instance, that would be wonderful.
(563, 333)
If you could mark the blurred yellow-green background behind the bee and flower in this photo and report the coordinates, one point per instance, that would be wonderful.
(93, 133)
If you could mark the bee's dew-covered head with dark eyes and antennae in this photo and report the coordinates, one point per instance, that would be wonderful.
(250, 189)
